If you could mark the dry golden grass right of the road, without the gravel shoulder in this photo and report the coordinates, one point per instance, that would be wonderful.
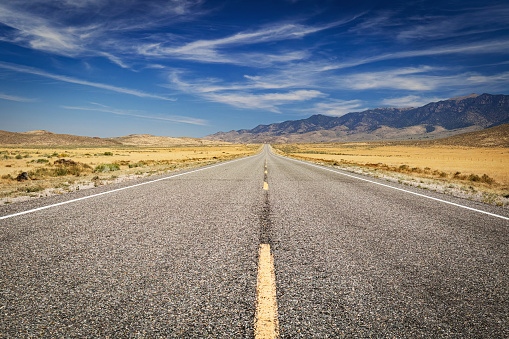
(487, 169)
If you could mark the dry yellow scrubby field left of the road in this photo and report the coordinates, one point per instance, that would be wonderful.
(56, 170)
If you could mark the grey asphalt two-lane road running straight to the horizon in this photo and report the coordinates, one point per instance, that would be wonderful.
(179, 255)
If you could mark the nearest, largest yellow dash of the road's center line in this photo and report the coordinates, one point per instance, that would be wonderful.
(266, 322)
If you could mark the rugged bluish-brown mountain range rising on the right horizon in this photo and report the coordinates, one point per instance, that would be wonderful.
(434, 120)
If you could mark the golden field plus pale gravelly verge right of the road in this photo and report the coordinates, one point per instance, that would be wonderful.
(477, 173)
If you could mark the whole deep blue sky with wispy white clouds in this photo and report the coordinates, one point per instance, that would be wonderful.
(193, 67)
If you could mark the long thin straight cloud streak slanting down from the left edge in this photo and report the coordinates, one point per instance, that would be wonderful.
(34, 71)
